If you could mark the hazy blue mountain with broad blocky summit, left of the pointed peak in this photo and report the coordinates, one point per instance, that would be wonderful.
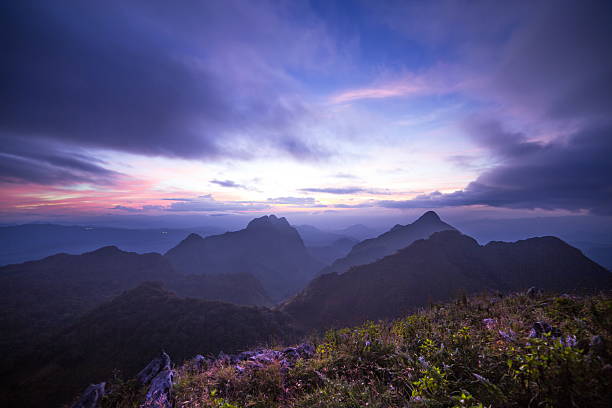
(269, 248)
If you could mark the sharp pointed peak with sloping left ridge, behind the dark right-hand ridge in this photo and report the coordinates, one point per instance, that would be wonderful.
(391, 241)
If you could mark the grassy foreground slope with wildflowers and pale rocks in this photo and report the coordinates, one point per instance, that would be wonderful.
(474, 352)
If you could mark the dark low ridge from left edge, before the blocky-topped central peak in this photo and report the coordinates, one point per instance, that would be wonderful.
(41, 297)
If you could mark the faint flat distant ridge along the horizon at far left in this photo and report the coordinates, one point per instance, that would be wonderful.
(35, 241)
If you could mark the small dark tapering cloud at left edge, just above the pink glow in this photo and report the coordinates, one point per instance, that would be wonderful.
(46, 163)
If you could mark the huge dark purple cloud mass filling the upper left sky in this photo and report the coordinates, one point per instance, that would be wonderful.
(148, 77)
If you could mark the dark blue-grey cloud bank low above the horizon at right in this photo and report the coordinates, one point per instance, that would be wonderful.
(572, 175)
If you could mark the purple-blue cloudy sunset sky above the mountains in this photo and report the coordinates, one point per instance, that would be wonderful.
(326, 110)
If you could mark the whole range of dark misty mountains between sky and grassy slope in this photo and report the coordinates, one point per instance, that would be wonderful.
(70, 319)
